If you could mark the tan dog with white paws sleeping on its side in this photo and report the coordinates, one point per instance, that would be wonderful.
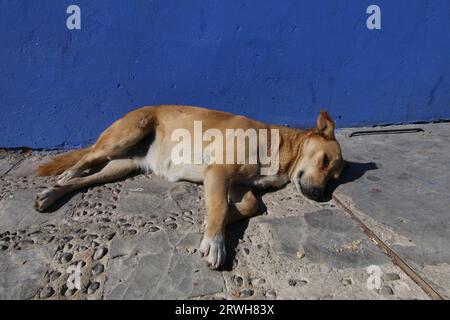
(143, 140)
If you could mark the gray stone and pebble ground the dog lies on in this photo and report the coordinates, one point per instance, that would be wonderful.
(138, 238)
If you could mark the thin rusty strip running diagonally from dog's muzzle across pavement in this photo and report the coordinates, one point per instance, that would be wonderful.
(391, 254)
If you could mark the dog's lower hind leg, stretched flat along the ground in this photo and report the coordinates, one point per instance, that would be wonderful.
(114, 170)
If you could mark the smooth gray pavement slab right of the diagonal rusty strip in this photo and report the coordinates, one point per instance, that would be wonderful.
(398, 185)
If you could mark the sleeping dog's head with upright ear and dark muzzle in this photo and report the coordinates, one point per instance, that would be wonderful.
(319, 159)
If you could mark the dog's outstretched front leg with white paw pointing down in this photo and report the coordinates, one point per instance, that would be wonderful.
(216, 197)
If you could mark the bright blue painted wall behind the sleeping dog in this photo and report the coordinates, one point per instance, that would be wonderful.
(277, 61)
